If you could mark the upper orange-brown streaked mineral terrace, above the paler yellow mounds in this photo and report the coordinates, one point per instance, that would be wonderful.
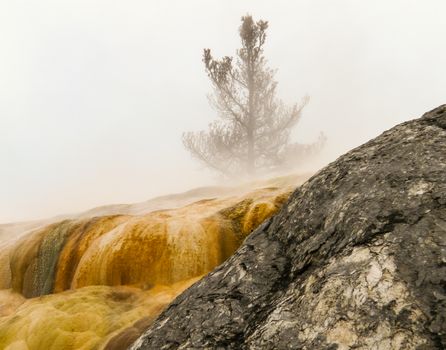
(161, 247)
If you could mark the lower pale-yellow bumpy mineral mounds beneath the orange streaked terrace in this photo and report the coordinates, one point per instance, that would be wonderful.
(84, 318)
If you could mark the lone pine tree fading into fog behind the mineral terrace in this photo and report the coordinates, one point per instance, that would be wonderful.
(253, 130)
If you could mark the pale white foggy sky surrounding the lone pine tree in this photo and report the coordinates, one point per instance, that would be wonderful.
(94, 95)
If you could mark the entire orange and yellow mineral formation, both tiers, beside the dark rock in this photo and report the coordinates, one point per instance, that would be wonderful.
(97, 283)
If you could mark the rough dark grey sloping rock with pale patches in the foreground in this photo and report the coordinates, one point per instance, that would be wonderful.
(355, 259)
